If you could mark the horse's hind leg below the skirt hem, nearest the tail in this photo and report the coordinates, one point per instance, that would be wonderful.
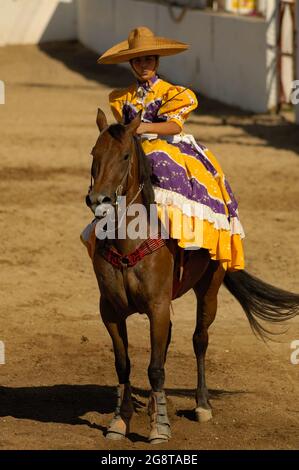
(206, 292)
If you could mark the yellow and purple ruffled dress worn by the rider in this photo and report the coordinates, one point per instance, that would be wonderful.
(192, 194)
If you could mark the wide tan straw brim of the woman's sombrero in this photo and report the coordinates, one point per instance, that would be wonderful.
(121, 52)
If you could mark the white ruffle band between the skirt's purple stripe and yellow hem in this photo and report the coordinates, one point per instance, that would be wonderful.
(196, 209)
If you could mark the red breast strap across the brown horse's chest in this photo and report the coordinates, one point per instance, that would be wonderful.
(121, 261)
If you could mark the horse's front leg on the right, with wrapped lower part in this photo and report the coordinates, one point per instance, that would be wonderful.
(160, 330)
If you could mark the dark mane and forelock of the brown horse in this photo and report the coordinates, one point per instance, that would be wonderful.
(117, 131)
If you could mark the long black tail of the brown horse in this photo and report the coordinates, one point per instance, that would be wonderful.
(261, 301)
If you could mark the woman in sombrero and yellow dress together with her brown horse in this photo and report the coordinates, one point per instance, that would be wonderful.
(187, 184)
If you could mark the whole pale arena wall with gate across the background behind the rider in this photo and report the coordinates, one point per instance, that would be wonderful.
(233, 58)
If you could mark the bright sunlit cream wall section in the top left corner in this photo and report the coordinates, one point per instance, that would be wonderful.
(33, 21)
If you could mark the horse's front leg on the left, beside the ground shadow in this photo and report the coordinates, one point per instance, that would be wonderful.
(120, 424)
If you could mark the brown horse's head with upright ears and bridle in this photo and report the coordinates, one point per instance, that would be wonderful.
(112, 155)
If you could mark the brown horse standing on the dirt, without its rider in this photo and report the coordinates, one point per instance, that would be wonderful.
(145, 284)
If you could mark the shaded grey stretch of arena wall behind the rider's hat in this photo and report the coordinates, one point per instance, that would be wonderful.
(227, 58)
